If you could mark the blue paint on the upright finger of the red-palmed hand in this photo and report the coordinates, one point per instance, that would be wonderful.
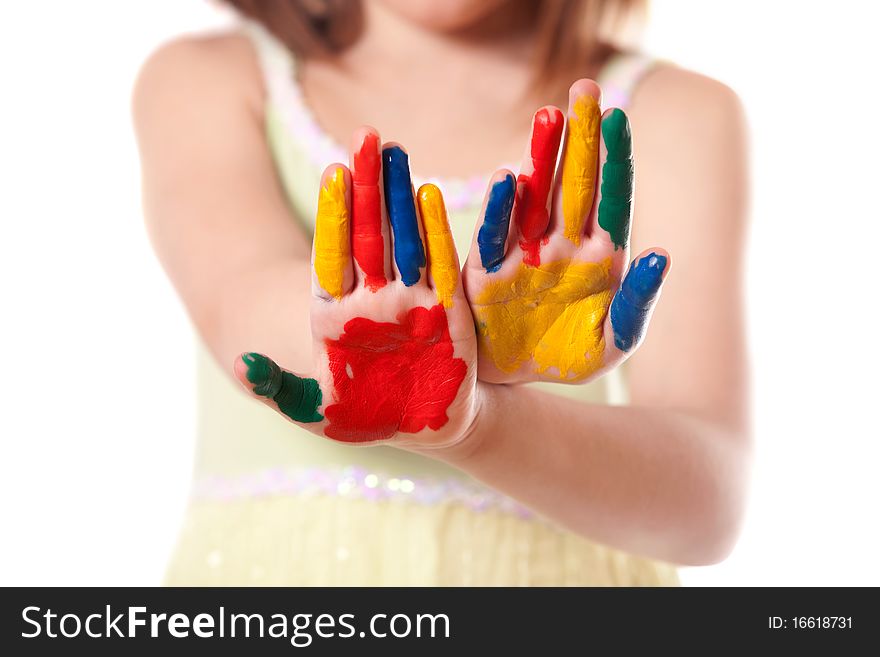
(409, 253)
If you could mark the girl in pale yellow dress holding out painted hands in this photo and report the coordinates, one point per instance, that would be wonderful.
(473, 428)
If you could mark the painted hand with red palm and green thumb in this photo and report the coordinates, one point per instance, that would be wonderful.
(394, 342)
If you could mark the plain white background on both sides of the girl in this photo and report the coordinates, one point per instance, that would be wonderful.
(96, 400)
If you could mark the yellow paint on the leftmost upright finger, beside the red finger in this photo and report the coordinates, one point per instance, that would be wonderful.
(332, 245)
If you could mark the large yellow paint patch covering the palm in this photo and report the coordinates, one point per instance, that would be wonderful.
(552, 315)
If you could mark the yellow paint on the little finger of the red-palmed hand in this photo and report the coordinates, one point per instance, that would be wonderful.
(441, 248)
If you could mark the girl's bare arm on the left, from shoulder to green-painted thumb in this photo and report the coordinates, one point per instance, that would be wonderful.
(214, 207)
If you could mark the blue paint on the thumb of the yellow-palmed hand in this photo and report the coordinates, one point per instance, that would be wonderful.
(635, 298)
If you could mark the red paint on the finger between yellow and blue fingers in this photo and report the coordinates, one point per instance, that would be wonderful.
(367, 245)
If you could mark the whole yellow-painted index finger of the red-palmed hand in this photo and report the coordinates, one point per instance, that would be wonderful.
(331, 259)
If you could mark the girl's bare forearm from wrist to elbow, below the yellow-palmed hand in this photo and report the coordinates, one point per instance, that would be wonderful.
(660, 483)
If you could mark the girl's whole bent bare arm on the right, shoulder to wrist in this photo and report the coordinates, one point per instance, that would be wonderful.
(665, 477)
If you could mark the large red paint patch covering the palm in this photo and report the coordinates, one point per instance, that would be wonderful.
(403, 376)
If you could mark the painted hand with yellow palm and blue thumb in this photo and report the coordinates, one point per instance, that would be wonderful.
(545, 287)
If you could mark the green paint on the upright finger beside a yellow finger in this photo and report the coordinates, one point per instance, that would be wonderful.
(615, 206)
